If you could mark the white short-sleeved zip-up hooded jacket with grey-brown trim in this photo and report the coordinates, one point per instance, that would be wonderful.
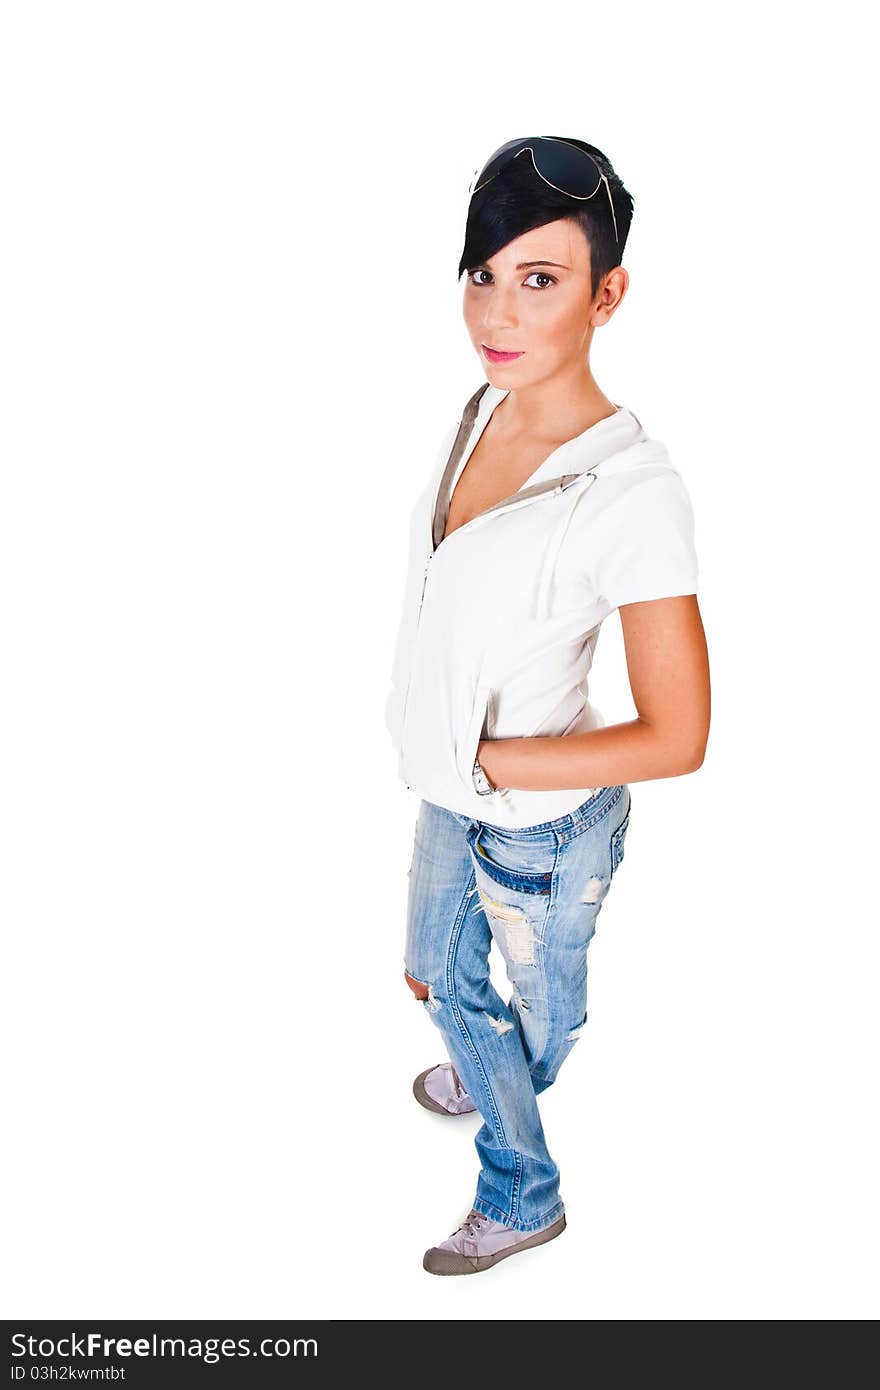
(501, 618)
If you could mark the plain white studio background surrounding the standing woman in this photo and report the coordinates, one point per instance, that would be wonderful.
(231, 344)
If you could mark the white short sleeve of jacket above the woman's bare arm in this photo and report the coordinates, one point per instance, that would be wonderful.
(646, 546)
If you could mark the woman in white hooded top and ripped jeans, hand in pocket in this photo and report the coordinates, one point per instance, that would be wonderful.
(548, 509)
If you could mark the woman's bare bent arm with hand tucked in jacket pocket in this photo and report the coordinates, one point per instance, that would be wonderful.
(668, 664)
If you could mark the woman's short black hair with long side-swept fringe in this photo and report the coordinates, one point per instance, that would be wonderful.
(518, 199)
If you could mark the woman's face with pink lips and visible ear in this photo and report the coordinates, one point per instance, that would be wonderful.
(533, 298)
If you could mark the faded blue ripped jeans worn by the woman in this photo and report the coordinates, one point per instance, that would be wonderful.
(537, 893)
